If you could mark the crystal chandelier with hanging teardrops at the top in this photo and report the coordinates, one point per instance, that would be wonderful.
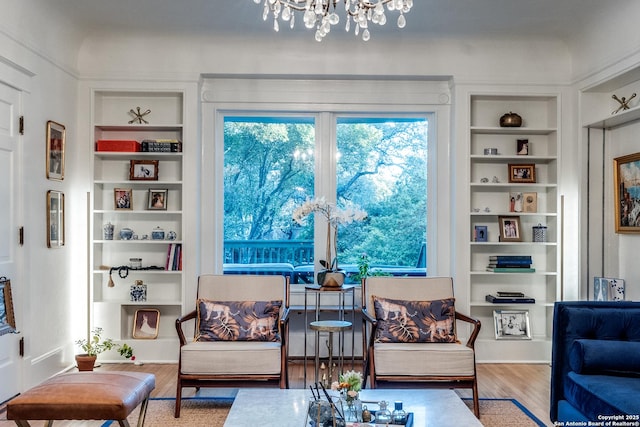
(322, 14)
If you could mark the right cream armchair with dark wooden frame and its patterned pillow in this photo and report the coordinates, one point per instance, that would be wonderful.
(410, 333)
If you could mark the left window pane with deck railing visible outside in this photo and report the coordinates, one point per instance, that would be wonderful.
(268, 172)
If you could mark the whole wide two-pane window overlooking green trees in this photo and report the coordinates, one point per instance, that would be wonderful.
(269, 163)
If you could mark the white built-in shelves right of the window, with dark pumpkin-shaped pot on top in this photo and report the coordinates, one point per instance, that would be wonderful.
(489, 198)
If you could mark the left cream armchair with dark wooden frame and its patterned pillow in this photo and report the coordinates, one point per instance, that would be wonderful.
(240, 334)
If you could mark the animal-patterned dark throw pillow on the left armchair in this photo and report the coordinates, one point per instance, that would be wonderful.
(238, 320)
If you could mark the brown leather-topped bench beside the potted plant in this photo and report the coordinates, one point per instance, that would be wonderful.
(84, 396)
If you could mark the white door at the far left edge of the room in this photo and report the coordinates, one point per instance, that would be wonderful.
(10, 360)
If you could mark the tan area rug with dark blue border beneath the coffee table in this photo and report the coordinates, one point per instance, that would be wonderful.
(211, 412)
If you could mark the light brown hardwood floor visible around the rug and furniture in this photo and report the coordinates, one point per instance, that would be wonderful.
(528, 383)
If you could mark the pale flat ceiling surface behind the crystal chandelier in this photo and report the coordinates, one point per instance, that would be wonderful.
(428, 18)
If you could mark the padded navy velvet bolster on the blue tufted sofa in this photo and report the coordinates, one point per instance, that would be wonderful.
(605, 357)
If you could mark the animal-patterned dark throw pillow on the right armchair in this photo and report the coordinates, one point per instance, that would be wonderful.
(415, 321)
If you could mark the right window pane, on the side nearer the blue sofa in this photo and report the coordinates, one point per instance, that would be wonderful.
(382, 167)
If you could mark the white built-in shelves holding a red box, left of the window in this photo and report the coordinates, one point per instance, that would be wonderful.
(112, 307)
